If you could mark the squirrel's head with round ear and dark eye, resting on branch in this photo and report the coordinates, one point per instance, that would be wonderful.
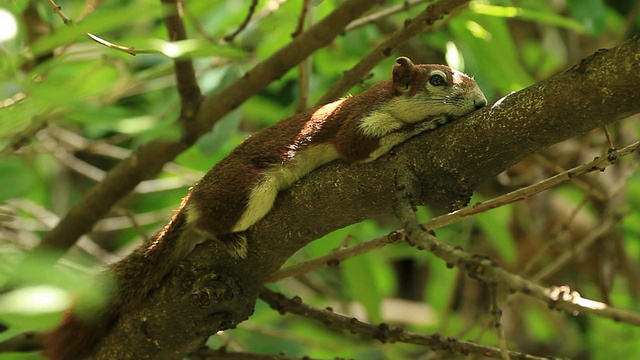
(426, 89)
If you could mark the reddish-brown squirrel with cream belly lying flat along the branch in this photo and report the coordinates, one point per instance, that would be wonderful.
(242, 187)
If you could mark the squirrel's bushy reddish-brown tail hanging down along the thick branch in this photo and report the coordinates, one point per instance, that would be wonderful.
(135, 276)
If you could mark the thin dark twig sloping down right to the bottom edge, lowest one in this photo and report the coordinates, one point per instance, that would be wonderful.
(382, 332)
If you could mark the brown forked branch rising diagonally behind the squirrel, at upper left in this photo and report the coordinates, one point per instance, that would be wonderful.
(147, 161)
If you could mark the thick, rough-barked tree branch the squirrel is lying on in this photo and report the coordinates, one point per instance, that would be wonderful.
(211, 291)
